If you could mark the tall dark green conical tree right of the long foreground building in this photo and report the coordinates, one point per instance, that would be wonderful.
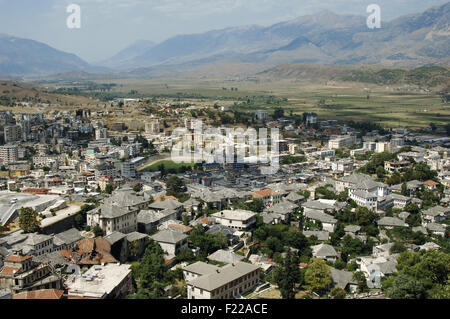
(287, 275)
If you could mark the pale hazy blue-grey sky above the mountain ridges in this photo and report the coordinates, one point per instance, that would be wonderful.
(108, 26)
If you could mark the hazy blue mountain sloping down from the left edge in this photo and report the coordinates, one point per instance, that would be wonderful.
(20, 57)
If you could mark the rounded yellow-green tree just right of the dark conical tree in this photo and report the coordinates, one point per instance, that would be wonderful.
(317, 276)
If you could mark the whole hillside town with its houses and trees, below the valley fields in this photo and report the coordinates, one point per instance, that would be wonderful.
(93, 206)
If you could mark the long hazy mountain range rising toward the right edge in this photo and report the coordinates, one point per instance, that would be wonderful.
(323, 38)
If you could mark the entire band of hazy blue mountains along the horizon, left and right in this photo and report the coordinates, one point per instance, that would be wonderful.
(323, 38)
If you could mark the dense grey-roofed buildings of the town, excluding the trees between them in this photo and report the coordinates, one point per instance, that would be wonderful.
(52, 162)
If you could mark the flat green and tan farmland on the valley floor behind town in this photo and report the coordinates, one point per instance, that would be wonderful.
(390, 106)
